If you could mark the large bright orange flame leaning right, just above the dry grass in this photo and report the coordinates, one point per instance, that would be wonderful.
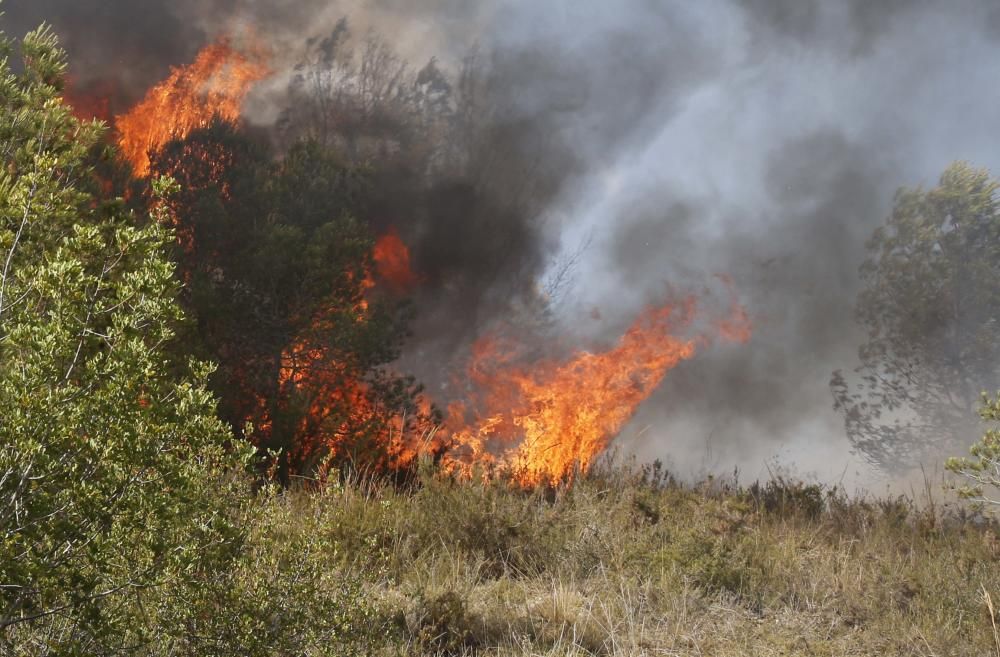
(542, 423)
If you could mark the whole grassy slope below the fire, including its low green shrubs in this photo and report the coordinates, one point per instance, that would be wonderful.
(619, 564)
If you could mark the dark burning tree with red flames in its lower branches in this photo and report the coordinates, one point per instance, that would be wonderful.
(280, 274)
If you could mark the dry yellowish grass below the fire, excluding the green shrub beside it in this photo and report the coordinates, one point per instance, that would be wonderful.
(634, 564)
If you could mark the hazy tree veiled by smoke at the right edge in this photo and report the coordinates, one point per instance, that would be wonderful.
(931, 307)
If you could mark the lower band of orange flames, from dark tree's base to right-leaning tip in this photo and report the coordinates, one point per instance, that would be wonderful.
(539, 422)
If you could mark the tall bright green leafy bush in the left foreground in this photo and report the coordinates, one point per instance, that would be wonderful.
(109, 445)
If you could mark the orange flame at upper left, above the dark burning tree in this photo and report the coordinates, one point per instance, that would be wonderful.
(214, 85)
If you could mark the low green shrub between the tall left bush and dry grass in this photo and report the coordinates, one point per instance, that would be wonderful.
(285, 590)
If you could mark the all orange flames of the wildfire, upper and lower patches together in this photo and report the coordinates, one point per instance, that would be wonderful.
(539, 422)
